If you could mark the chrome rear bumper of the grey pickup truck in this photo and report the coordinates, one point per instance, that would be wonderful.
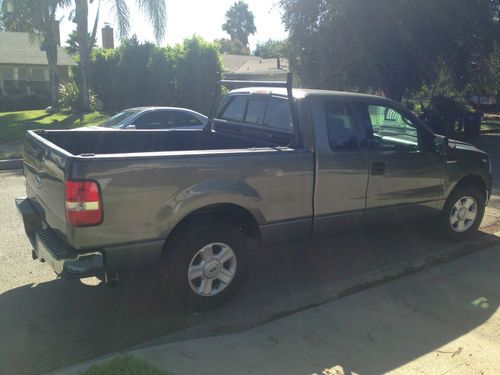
(48, 247)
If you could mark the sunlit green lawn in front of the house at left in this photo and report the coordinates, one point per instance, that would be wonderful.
(13, 125)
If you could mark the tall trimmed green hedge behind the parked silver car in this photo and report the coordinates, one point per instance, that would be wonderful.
(138, 74)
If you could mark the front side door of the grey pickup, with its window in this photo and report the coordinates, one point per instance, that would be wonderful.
(406, 175)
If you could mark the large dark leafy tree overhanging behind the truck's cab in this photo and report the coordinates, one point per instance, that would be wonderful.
(387, 44)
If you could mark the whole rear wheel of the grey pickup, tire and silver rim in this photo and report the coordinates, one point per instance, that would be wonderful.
(207, 264)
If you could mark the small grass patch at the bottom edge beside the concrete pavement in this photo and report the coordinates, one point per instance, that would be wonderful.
(125, 365)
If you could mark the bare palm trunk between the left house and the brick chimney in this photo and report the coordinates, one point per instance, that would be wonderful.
(81, 19)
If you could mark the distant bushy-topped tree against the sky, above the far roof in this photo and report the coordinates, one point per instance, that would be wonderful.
(239, 22)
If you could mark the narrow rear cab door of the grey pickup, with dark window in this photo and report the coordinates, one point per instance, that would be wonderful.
(342, 164)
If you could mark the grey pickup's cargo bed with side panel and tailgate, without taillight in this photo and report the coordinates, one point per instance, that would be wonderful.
(150, 180)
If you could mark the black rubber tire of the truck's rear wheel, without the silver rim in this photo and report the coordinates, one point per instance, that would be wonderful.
(183, 247)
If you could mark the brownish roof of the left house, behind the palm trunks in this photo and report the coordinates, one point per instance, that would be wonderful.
(16, 48)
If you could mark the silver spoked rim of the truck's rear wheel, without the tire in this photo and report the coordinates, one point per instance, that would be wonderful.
(212, 269)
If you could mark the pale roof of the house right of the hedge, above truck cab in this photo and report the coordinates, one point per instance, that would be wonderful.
(241, 64)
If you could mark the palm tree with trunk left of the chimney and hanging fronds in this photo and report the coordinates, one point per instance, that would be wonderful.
(154, 10)
